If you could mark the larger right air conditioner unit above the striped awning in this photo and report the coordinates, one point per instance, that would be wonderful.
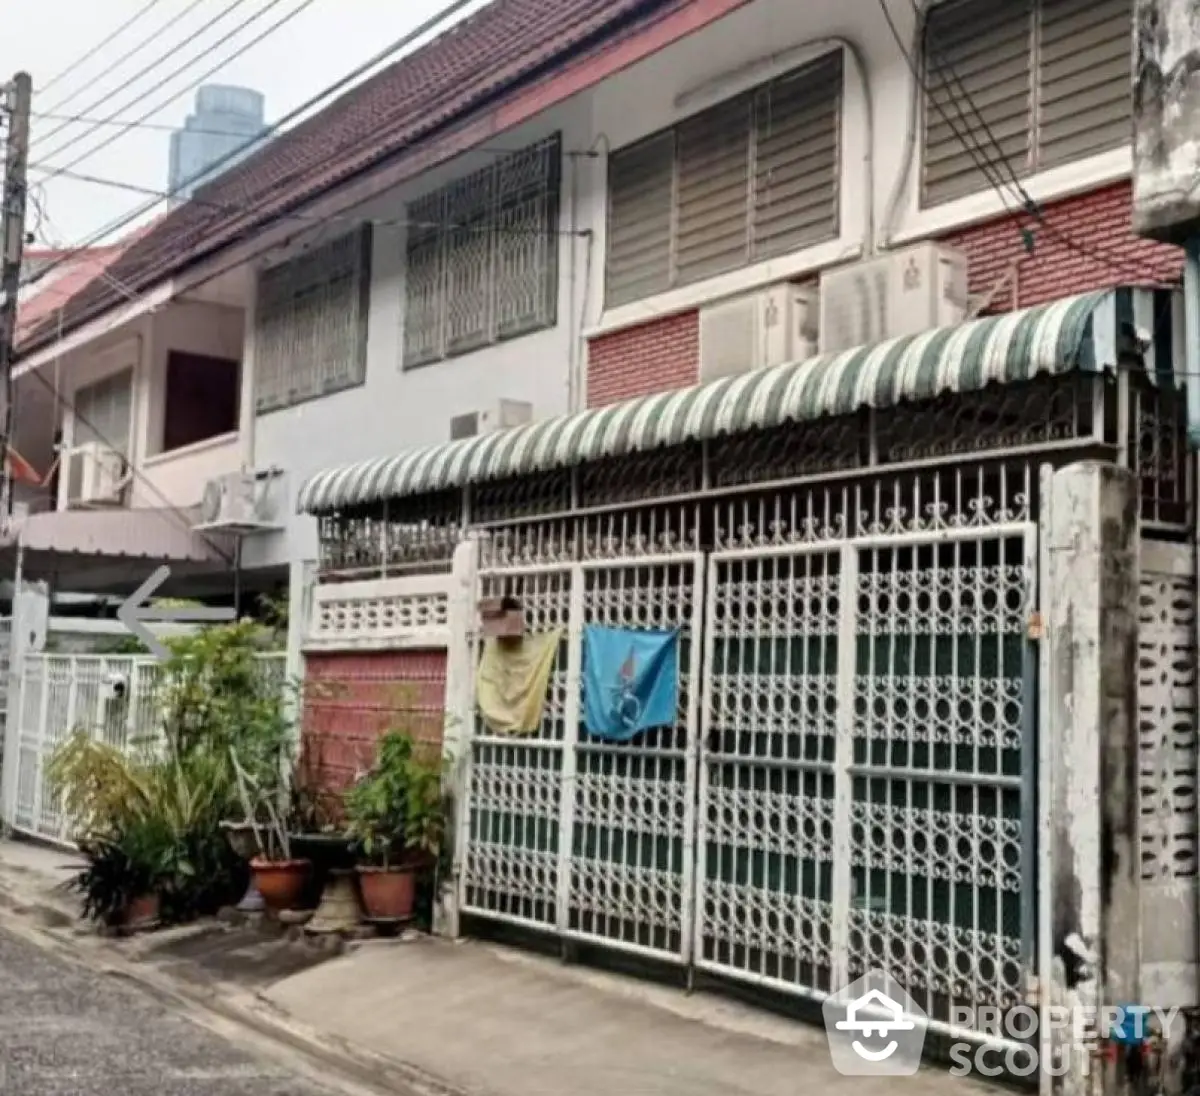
(903, 294)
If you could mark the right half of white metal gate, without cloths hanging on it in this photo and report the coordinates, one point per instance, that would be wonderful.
(866, 798)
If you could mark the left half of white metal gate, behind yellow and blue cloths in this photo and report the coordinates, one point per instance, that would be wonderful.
(592, 840)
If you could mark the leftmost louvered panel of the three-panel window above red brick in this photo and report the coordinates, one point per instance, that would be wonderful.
(641, 188)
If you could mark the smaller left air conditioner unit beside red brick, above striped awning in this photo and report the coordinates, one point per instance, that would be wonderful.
(761, 330)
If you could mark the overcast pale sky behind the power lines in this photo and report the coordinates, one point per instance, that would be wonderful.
(46, 38)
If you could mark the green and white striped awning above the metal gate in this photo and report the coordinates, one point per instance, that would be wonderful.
(1070, 334)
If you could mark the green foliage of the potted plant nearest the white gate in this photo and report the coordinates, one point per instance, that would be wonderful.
(395, 812)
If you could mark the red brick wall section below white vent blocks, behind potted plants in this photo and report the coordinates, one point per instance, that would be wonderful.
(351, 699)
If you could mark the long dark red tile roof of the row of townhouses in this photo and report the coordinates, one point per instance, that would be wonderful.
(497, 50)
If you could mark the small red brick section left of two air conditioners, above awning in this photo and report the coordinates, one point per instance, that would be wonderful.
(650, 358)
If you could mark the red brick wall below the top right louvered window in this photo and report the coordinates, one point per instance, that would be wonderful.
(1100, 221)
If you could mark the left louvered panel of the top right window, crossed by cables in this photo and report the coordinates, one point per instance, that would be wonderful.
(985, 49)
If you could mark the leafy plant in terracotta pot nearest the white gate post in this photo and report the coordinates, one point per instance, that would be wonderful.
(395, 819)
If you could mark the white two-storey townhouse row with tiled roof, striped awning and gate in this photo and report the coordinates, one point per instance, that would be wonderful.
(805, 332)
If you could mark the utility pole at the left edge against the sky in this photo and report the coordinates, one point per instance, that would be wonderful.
(19, 100)
